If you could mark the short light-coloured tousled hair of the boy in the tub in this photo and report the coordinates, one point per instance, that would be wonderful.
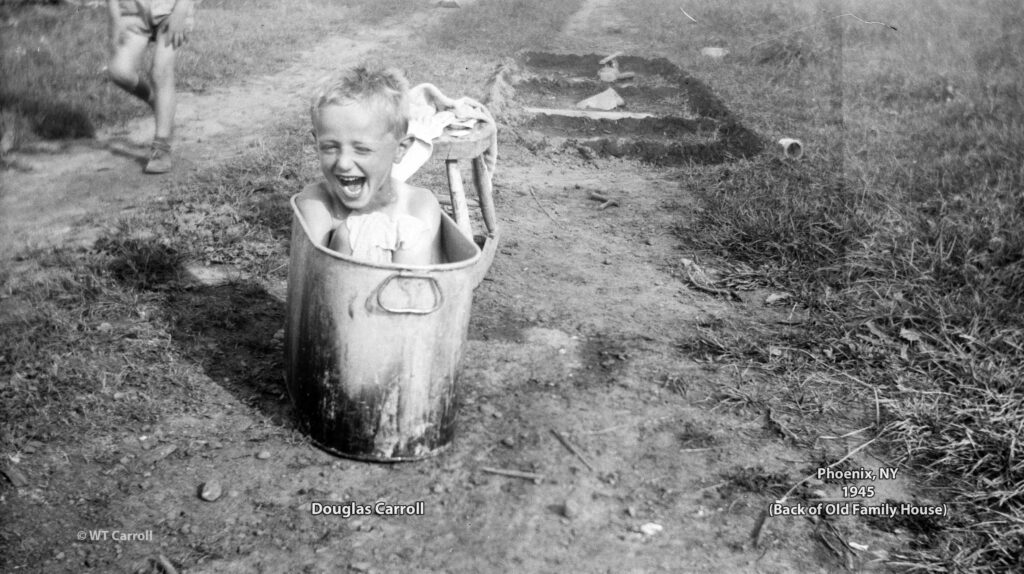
(387, 90)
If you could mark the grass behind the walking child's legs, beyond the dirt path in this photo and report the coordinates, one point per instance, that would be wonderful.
(54, 57)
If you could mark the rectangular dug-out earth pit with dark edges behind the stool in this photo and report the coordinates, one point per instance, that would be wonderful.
(669, 118)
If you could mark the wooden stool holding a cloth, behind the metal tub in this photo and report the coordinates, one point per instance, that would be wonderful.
(471, 147)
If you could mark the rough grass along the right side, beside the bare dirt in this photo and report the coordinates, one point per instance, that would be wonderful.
(902, 233)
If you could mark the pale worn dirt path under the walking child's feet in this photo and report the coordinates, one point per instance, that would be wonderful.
(69, 195)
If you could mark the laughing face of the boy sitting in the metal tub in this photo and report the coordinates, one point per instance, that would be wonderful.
(357, 152)
